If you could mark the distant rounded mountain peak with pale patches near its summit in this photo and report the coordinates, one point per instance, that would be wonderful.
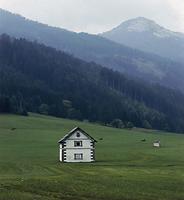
(144, 34)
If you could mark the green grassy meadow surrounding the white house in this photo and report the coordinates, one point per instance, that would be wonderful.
(126, 168)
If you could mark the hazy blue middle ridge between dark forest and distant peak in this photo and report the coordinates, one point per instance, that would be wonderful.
(97, 49)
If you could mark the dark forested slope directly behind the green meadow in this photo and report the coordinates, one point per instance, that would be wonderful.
(37, 78)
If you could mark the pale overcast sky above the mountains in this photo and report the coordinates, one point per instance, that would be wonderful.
(96, 16)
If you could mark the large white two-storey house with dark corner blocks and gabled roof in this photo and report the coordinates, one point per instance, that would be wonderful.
(77, 146)
